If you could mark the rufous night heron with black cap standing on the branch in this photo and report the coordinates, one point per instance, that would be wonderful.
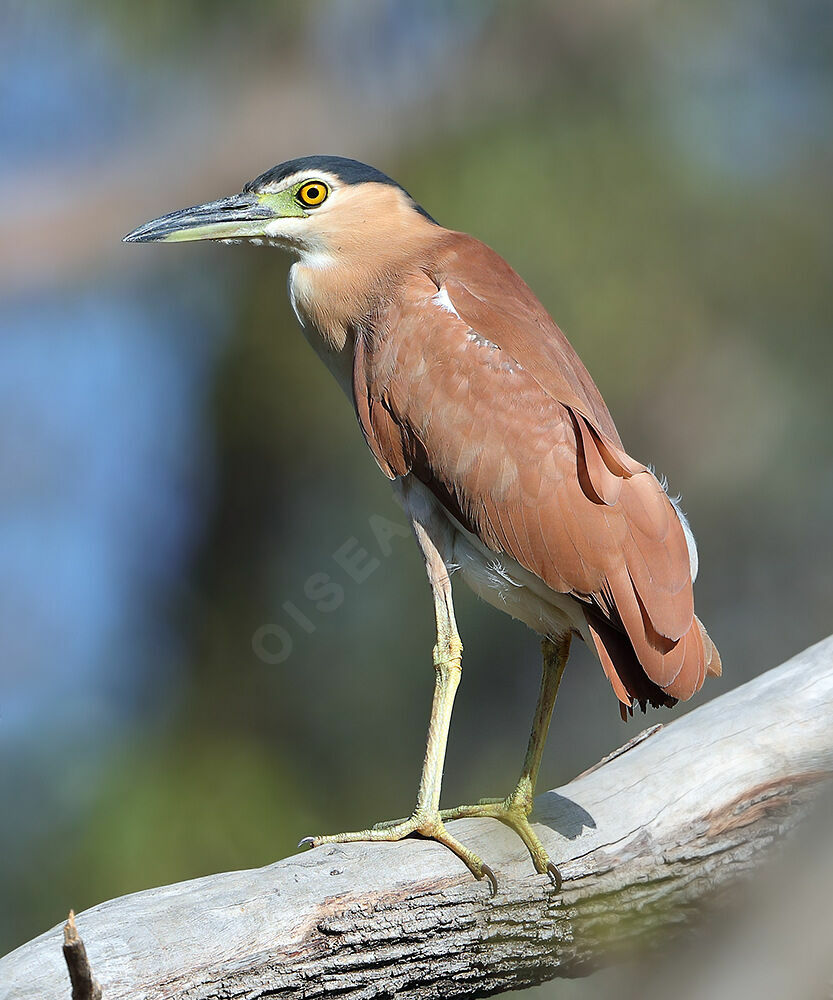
(499, 445)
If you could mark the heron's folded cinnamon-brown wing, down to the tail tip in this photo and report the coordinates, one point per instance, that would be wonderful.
(467, 383)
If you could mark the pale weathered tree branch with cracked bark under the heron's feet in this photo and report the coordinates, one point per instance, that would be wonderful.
(645, 841)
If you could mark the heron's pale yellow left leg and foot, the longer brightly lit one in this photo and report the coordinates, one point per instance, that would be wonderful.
(425, 819)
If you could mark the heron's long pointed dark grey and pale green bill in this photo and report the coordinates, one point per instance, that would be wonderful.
(242, 216)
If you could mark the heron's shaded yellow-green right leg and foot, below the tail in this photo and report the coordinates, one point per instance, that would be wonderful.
(514, 810)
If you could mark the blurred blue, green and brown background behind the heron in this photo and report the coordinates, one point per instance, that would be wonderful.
(176, 465)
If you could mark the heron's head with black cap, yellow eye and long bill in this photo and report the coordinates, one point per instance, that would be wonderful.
(312, 205)
